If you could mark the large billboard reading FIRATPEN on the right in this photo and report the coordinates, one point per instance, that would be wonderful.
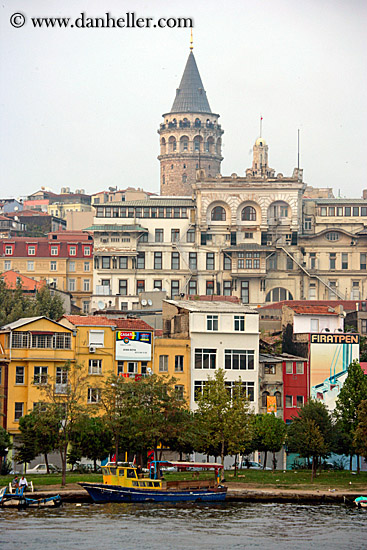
(331, 354)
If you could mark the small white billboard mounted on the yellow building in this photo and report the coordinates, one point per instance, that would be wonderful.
(133, 346)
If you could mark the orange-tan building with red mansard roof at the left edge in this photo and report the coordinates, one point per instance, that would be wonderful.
(63, 259)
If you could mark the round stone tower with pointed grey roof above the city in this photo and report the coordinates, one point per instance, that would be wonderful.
(190, 136)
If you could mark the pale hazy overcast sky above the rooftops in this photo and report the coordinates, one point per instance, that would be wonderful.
(80, 107)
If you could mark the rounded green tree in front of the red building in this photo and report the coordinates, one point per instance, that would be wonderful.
(311, 433)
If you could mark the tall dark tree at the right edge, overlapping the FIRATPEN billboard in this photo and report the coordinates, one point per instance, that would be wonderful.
(353, 392)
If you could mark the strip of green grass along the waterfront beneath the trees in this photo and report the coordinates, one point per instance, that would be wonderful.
(300, 479)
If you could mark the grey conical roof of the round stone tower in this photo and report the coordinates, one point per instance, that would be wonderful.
(191, 96)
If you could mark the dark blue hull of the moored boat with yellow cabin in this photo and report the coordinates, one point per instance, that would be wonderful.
(114, 493)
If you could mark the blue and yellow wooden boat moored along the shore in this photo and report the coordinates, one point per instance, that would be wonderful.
(122, 483)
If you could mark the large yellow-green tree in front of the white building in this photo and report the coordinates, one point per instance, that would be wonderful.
(223, 417)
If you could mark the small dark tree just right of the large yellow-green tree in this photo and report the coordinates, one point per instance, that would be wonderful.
(269, 434)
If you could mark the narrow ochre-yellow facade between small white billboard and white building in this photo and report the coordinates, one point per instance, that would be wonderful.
(172, 358)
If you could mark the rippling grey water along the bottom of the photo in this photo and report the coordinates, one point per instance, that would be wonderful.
(185, 527)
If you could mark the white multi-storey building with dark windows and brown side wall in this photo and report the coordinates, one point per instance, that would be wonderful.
(222, 335)
